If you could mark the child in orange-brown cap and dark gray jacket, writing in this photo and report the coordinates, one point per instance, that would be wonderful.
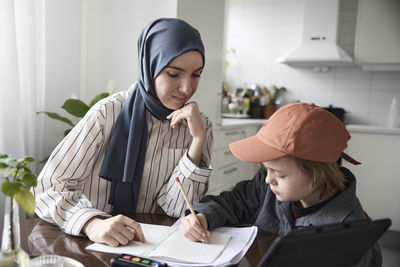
(298, 148)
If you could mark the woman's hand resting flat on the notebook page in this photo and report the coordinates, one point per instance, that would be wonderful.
(114, 231)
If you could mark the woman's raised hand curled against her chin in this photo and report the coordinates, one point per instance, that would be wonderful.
(191, 113)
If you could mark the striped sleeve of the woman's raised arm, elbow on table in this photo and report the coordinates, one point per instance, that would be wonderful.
(194, 180)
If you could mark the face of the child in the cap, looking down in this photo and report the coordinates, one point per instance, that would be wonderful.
(288, 183)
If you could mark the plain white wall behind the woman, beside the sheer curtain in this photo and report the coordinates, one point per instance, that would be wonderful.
(88, 43)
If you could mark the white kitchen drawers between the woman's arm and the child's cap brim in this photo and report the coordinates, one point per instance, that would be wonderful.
(227, 169)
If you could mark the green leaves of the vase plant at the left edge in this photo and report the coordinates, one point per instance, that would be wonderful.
(18, 179)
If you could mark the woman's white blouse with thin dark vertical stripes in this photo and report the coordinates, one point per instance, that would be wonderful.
(70, 192)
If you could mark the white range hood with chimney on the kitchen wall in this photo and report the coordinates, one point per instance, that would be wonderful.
(319, 46)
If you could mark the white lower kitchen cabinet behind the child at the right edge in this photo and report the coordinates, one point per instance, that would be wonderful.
(378, 177)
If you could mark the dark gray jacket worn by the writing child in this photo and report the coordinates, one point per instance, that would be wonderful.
(252, 202)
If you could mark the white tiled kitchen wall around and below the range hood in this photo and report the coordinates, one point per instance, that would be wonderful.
(263, 30)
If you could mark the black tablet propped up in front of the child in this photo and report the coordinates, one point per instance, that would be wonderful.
(335, 245)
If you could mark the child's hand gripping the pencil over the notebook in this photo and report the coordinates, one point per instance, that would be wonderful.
(192, 230)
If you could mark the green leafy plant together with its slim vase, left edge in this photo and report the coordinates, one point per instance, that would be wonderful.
(18, 179)
